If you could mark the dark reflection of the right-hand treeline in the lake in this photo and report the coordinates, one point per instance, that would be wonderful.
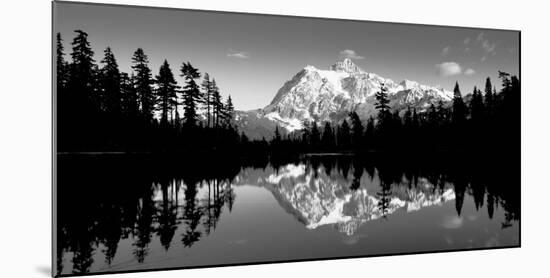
(481, 179)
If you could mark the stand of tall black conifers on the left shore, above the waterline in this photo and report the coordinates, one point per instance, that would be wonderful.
(100, 108)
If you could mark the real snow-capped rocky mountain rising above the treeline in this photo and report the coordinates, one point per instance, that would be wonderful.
(329, 95)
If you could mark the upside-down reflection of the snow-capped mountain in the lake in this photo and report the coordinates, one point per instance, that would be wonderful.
(316, 198)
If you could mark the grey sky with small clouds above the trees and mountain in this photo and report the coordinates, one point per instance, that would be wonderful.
(252, 56)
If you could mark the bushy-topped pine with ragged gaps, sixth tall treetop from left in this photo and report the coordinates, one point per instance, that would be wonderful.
(191, 94)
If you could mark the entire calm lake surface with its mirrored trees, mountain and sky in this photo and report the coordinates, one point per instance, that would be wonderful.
(117, 214)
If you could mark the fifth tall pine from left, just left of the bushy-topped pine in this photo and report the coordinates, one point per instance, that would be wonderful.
(166, 92)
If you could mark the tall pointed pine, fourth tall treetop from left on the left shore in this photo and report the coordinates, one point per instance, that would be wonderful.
(143, 82)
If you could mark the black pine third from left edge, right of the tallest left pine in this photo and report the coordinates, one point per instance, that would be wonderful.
(110, 83)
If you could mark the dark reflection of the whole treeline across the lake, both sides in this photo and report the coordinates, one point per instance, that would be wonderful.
(150, 198)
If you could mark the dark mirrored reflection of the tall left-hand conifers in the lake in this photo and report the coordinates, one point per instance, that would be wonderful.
(123, 203)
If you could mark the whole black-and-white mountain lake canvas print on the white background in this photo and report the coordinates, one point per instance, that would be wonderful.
(190, 138)
